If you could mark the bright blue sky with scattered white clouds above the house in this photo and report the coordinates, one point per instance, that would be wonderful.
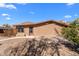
(36, 12)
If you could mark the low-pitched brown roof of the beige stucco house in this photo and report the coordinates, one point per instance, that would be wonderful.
(44, 23)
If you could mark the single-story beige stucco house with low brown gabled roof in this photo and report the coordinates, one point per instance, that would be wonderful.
(47, 28)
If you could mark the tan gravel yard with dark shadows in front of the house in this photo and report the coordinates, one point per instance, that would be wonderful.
(23, 46)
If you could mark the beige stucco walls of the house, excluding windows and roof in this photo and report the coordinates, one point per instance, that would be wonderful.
(48, 30)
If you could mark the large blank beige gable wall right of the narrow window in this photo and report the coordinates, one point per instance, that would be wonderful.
(47, 30)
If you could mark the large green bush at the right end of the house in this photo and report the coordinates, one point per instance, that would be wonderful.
(71, 33)
